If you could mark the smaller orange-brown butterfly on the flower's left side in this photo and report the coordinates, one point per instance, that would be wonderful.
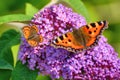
(31, 35)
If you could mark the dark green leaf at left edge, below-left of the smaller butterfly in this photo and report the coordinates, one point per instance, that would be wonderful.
(8, 39)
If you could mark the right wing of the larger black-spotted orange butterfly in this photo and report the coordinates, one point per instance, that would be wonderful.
(92, 31)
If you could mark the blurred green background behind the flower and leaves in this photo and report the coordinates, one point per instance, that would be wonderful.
(97, 10)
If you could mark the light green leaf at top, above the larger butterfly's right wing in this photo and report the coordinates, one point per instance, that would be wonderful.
(79, 7)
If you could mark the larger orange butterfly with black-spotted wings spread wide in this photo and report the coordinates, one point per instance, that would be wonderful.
(82, 38)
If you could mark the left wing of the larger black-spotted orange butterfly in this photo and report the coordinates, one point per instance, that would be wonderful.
(68, 42)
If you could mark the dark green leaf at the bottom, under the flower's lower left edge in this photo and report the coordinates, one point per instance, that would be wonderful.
(21, 72)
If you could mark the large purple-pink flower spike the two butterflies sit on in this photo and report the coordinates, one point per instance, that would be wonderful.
(98, 63)
